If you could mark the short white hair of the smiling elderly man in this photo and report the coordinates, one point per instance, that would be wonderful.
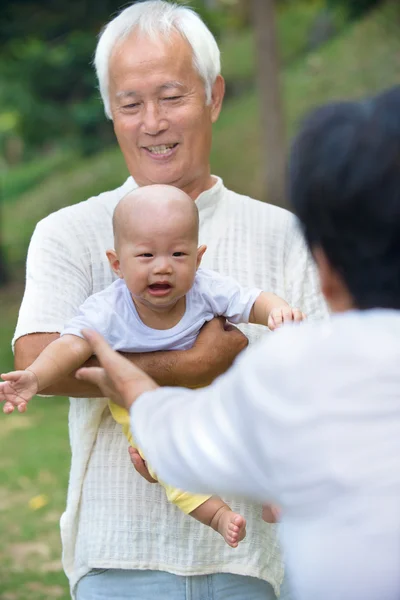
(154, 18)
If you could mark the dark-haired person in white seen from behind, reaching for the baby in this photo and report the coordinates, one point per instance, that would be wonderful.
(310, 417)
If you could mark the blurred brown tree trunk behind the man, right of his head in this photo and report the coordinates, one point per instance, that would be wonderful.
(272, 116)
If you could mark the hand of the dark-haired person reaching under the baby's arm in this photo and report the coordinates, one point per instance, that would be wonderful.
(118, 379)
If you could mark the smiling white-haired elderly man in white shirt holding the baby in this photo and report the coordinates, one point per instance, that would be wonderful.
(159, 74)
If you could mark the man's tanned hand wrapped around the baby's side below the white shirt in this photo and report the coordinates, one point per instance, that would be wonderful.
(215, 349)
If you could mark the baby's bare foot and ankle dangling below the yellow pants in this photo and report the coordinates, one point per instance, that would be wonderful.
(218, 515)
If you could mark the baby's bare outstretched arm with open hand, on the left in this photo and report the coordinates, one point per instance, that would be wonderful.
(57, 360)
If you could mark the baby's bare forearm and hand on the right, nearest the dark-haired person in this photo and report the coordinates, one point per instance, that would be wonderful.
(272, 311)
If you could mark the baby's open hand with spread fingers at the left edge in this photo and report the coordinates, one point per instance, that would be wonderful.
(17, 389)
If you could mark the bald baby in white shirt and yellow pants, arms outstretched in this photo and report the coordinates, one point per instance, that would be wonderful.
(160, 301)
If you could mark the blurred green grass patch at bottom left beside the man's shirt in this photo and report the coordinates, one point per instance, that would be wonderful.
(34, 462)
